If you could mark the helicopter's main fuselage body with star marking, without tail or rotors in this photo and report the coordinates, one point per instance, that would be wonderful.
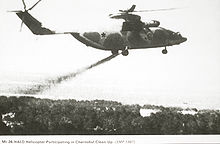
(121, 40)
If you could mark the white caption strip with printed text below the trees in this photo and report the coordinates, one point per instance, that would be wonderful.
(110, 139)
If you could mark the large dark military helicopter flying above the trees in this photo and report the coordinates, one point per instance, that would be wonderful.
(134, 33)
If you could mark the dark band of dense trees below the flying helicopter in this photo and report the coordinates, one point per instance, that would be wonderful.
(29, 115)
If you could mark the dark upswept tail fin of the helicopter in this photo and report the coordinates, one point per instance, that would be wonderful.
(33, 24)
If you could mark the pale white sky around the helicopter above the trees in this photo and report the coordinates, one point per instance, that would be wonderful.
(189, 75)
